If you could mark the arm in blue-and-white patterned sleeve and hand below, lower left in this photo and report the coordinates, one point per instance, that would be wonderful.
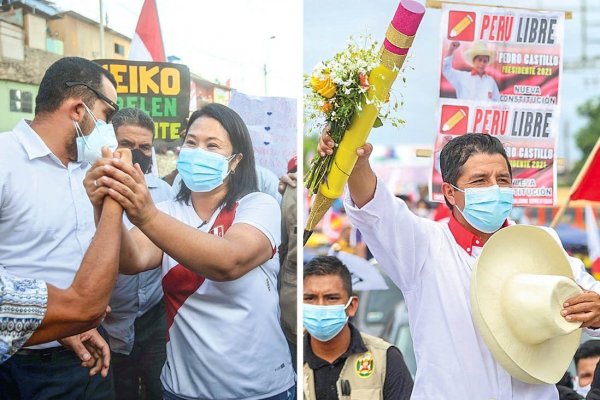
(34, 312)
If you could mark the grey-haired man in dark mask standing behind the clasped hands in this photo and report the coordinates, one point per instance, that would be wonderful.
(137, 323)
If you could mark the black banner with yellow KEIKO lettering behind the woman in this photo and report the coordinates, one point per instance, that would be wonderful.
(161, 90)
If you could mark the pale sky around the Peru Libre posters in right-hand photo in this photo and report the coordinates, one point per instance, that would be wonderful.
(327, 25)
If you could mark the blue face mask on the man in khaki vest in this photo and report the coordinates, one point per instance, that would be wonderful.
(325, 322)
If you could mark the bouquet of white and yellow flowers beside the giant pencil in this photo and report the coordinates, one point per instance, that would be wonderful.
(337, 88)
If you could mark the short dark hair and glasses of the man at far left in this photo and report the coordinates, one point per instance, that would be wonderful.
(53, 89)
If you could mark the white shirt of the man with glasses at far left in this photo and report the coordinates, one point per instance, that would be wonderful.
(46, 218)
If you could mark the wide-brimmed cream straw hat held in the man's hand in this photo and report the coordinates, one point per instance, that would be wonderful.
(518, 286)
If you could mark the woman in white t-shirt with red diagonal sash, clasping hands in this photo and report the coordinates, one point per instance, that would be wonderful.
(216, 244)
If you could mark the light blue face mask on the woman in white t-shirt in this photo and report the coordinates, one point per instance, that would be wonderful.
(202, 170)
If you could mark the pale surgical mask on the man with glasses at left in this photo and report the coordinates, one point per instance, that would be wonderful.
(89, 148)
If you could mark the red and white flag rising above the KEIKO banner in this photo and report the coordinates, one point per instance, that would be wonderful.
(146, 44)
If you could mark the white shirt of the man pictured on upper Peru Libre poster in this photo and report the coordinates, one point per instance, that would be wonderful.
(469, 85)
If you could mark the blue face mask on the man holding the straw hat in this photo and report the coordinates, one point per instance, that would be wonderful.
(486, 208)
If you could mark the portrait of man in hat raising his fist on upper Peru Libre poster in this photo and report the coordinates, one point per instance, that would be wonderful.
(475, 84)
